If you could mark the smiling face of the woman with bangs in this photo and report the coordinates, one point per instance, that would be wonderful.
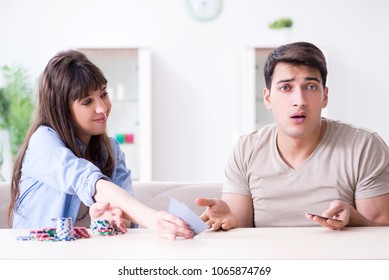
(90, 114)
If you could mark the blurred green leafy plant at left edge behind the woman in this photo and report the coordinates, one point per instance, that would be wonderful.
(16, 105)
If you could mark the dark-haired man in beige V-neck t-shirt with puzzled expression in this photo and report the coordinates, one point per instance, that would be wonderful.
(303, 165)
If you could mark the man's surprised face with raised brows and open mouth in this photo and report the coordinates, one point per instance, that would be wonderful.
(296, 99)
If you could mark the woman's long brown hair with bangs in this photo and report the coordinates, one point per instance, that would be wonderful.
(68, 76)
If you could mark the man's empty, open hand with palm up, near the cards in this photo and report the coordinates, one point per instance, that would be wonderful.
(218, 214)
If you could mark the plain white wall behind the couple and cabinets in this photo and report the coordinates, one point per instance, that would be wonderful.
(196, 65)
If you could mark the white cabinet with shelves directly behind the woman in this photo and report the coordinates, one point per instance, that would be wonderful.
(128, 71)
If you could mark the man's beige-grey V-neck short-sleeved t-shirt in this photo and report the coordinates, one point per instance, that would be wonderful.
(349, 163)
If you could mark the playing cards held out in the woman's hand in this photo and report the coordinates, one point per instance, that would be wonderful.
(183, 212)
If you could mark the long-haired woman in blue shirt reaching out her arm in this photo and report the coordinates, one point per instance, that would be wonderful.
(68, 160)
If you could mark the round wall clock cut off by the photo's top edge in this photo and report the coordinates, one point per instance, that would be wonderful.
(204, 9)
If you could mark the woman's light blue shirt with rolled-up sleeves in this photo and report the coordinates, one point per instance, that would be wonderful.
(54, 181)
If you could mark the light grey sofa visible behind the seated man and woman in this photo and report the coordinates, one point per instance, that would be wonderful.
(155, 194)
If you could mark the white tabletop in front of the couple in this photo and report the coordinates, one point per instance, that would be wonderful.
(312, 243)
